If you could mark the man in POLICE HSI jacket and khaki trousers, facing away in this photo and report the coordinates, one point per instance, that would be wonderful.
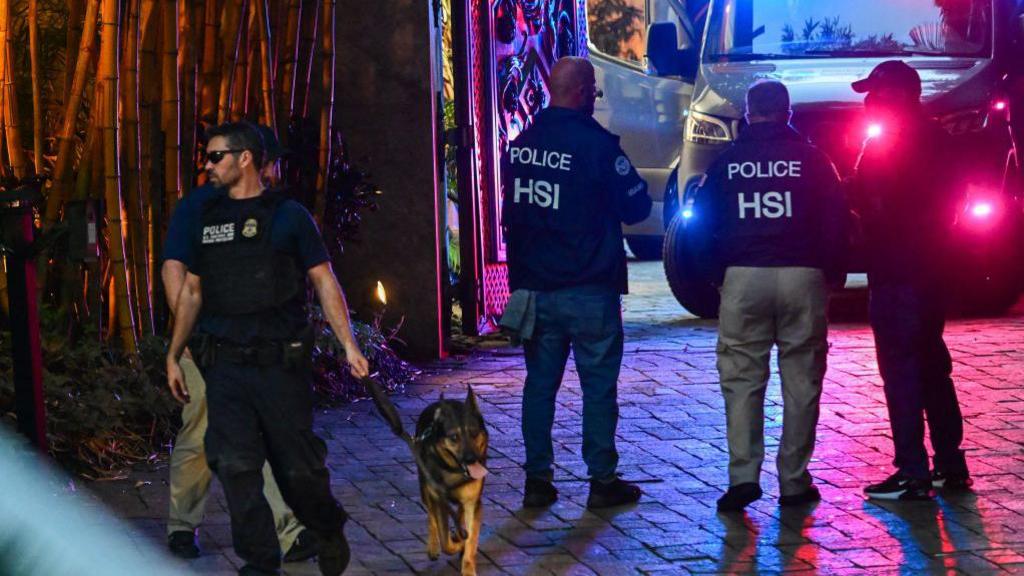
(772, 225)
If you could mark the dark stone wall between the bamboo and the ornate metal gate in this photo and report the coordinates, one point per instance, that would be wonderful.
(386, 105)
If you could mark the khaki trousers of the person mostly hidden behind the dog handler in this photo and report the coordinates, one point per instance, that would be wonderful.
(191, 476)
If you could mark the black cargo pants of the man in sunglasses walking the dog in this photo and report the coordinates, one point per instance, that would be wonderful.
(260, 414)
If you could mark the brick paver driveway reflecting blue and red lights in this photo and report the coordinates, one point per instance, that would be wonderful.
(671, 437)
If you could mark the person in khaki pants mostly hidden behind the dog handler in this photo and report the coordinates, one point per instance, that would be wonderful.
(191, 476)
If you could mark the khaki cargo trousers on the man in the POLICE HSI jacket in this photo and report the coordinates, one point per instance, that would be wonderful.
(762, 308)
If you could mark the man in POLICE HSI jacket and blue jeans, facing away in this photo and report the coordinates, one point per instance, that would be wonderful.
(568, 188)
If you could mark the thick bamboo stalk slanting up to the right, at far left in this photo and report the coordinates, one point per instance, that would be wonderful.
(67, 136)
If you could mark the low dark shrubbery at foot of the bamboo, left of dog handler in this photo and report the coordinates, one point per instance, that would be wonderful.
(104, 410)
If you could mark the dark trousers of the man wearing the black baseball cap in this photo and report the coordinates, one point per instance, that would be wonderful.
(916, 368)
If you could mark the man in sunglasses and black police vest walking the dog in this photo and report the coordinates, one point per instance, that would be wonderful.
(253, 345)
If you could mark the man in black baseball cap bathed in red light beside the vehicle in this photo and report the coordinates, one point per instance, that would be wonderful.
(906, 194)
